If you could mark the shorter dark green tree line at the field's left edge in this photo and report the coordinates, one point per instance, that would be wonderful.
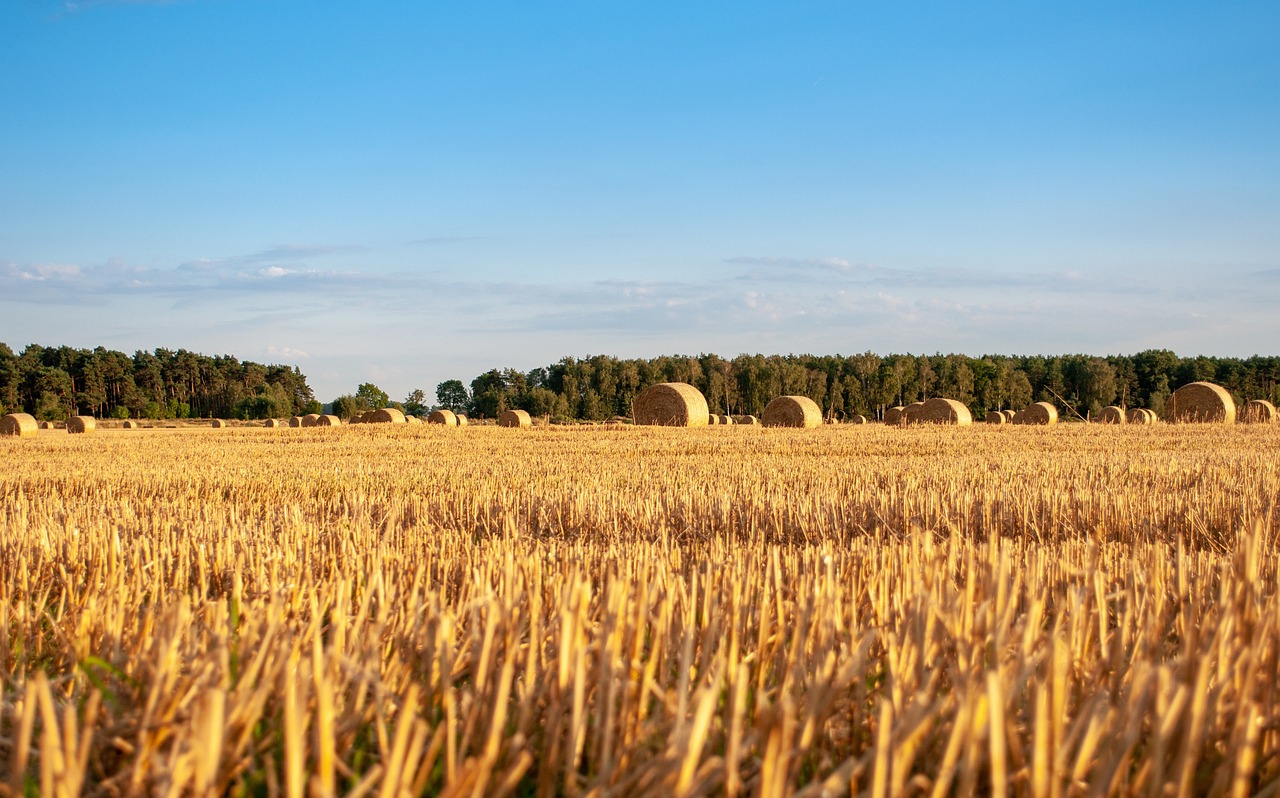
(57, 382)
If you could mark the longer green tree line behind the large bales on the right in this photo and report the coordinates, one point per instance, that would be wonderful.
(601, 387)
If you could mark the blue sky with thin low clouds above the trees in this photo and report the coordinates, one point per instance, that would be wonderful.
(406, 193)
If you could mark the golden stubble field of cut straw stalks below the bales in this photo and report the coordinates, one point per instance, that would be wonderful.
(853, 610)
